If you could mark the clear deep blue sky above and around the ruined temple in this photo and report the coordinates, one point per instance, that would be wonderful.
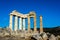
(49, 9)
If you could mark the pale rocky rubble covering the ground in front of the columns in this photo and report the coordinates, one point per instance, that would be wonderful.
(25, 35)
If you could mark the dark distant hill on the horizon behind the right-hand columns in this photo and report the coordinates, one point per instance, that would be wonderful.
(54, 30)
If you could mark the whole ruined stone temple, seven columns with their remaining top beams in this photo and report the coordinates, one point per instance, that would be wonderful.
(22, 18)
